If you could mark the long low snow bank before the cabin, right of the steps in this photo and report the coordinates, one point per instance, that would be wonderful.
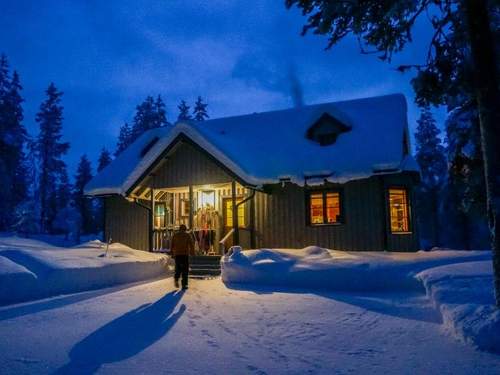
(314, 267)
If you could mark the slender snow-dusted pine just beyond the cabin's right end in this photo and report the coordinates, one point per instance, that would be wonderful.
(431, 159)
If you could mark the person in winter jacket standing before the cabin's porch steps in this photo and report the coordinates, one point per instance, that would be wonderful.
(182, 247)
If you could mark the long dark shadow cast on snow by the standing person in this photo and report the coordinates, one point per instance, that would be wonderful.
(125, 336)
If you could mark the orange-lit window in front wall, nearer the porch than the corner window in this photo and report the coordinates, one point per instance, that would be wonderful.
(324, 208)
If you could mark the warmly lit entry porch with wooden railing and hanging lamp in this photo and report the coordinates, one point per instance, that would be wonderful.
(217, 216)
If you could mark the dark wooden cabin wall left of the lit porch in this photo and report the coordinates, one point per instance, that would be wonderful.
(126, 222)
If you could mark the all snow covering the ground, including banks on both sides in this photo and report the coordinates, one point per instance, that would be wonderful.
(277, 311)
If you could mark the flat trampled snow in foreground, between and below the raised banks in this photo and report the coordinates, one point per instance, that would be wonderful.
(214, 329)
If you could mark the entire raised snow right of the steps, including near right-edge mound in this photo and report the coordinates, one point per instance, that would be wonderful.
(459, 283)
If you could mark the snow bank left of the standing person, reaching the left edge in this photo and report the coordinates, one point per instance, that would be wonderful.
(30, 269)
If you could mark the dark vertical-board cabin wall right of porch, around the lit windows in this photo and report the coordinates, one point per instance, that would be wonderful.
(281, 219)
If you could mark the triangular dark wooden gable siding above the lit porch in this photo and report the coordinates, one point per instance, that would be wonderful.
(187, 165)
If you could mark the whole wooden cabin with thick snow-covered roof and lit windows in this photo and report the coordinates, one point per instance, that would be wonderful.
(338, 175)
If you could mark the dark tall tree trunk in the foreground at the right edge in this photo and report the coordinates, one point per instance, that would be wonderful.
(488, 101)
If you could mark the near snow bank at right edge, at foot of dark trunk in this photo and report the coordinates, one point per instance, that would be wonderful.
(463, 293)
